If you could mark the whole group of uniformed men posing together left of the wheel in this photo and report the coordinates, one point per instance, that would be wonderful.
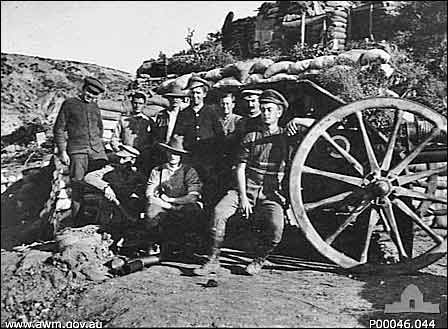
(195, 167)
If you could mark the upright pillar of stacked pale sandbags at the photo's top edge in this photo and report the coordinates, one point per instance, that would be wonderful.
(337, 12)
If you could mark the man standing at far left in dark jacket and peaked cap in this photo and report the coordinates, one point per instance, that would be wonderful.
(78, 133)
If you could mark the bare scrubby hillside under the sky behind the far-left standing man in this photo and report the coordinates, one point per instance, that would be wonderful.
(29, 82)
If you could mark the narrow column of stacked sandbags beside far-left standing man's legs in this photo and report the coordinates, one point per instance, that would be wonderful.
(58, 206)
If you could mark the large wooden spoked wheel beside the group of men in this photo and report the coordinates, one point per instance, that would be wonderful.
(365, 186)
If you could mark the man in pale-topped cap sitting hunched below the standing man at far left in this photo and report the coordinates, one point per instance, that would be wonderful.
(120, 182)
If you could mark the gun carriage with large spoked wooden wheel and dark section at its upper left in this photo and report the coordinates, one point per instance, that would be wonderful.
(358, 170)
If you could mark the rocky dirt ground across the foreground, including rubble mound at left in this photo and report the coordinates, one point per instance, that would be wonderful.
(54, 281)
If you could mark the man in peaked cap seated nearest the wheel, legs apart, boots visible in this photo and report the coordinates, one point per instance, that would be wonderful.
(260, 171)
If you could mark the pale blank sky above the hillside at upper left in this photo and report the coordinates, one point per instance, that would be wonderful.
(117, 34)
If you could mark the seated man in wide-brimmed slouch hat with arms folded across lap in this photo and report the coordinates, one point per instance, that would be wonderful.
(174, 192)
